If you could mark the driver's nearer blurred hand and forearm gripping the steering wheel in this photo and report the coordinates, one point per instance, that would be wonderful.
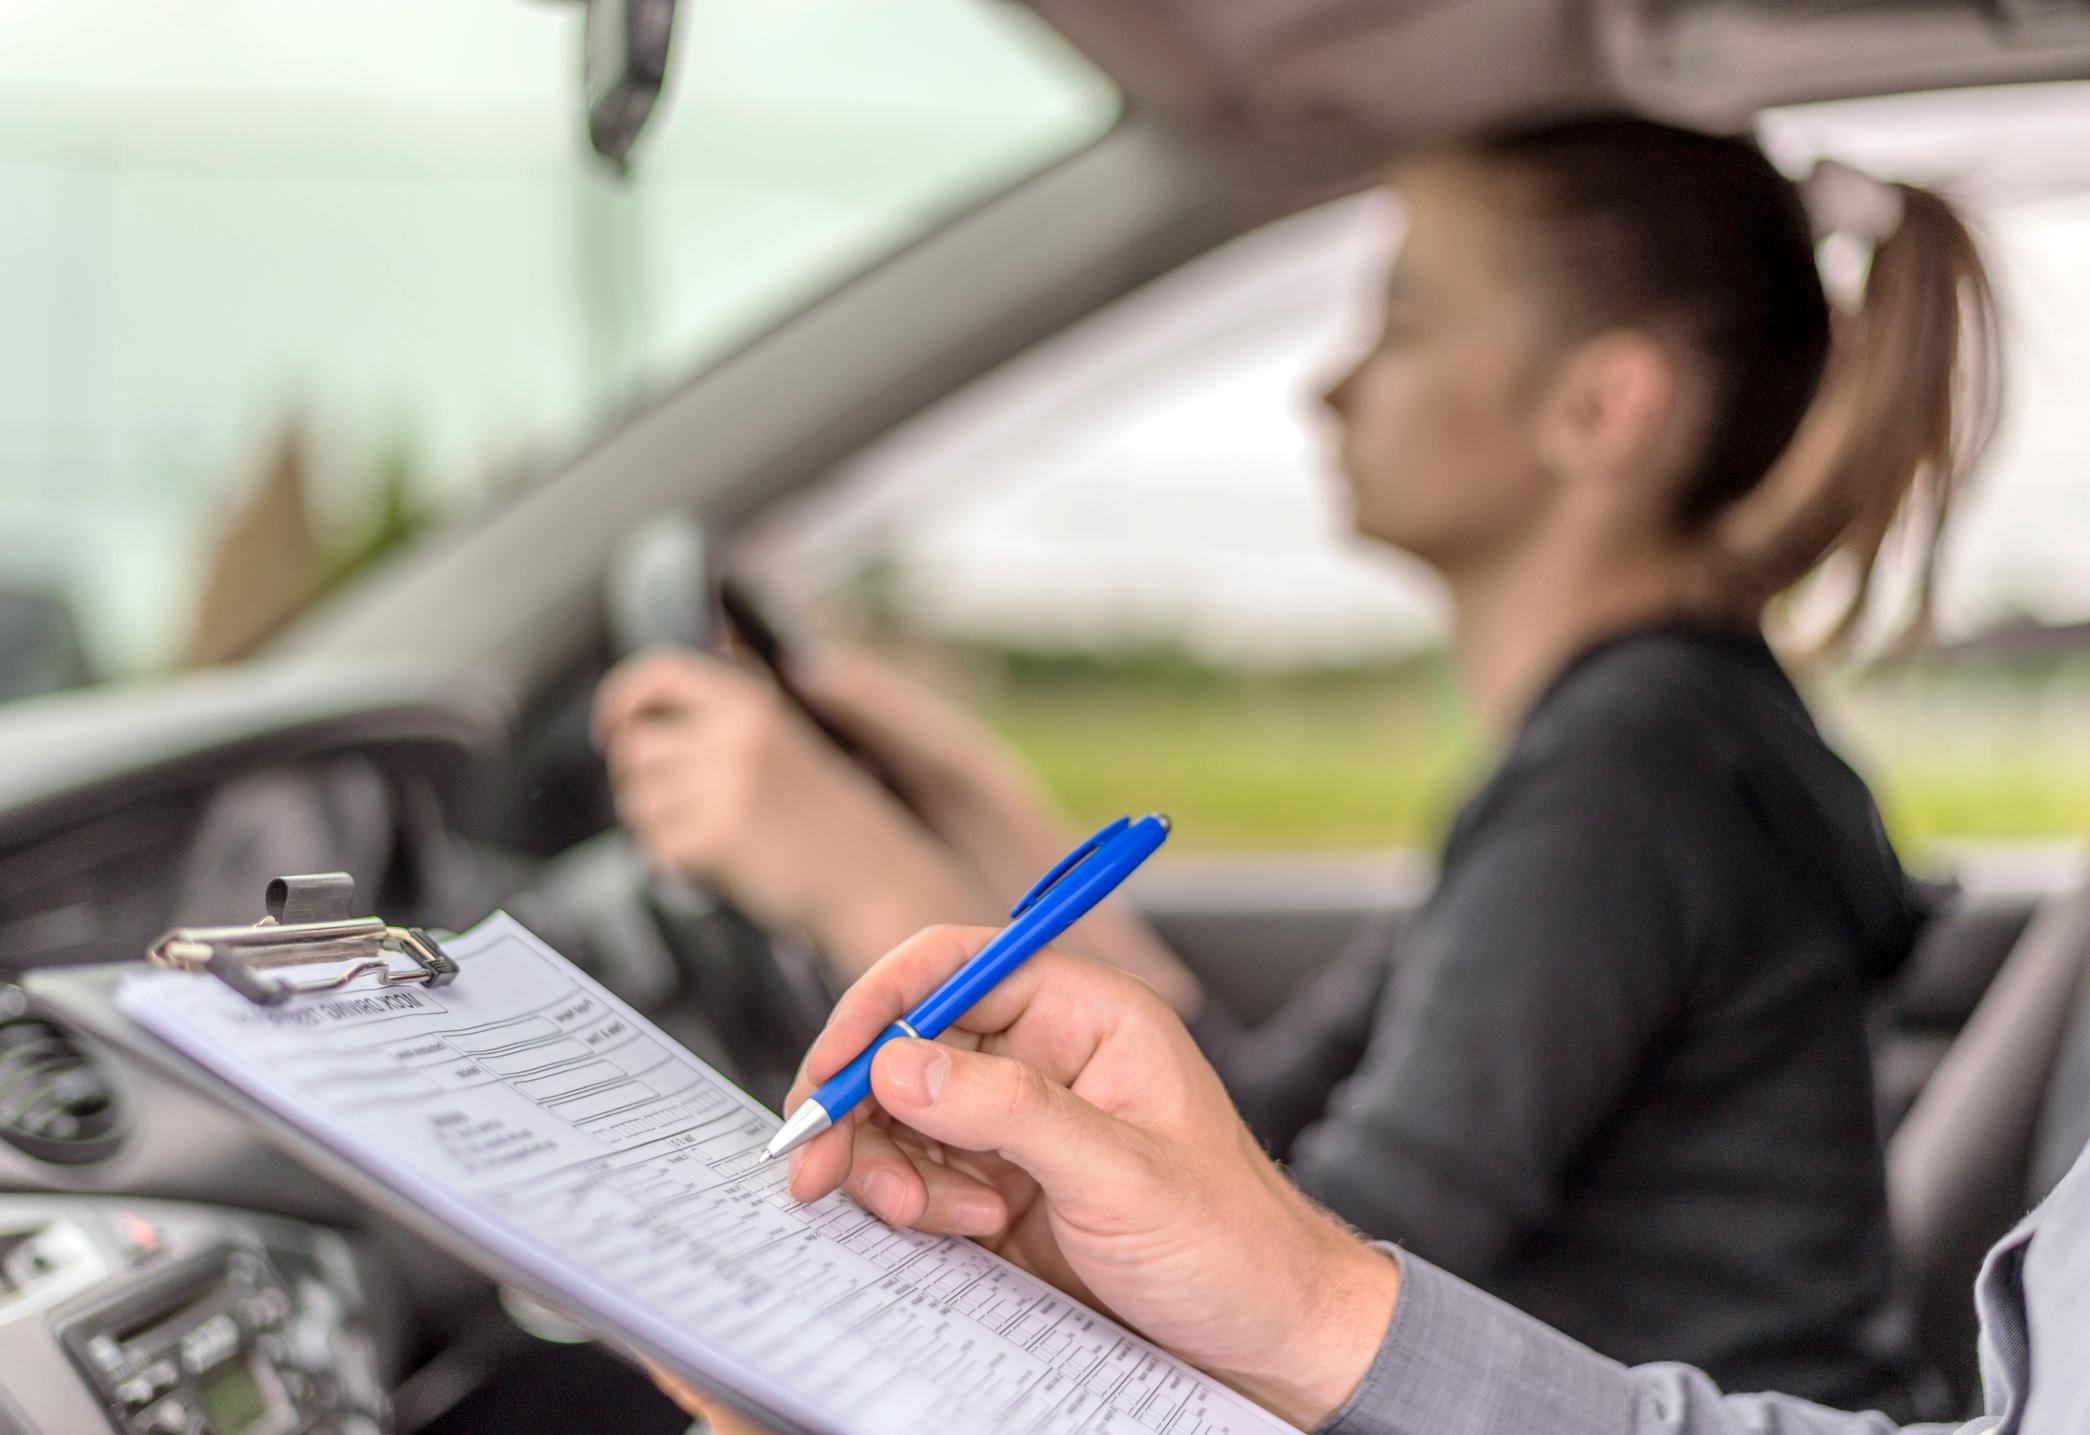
(720, 778)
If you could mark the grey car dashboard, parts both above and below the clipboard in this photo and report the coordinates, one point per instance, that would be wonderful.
(162, 1271)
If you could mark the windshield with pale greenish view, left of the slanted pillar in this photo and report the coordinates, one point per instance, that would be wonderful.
(277, 275)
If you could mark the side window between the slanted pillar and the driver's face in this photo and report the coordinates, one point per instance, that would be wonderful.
(1132, 552)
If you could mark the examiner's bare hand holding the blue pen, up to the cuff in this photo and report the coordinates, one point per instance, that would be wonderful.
(1071, 1125)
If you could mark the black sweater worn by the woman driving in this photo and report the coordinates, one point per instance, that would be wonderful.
(1615, 1071)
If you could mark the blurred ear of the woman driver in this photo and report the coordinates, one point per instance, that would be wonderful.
(1612, 415)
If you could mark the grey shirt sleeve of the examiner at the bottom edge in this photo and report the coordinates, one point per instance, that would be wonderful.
(1462, 1363)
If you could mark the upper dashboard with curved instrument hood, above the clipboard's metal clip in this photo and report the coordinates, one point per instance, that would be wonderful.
(129, 809)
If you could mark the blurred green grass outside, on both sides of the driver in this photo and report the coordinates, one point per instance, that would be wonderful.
(1357, 763)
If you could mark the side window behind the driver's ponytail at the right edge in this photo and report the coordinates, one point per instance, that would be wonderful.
(1980, 740)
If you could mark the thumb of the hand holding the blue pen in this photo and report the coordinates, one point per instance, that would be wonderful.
(975, 1102)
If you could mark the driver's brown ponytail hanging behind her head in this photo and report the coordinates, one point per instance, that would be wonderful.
(1907, 410)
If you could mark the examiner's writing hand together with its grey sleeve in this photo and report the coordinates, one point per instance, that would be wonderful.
(1079, 1133)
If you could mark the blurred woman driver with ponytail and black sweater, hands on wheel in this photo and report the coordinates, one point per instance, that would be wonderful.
(1615, 1071)
